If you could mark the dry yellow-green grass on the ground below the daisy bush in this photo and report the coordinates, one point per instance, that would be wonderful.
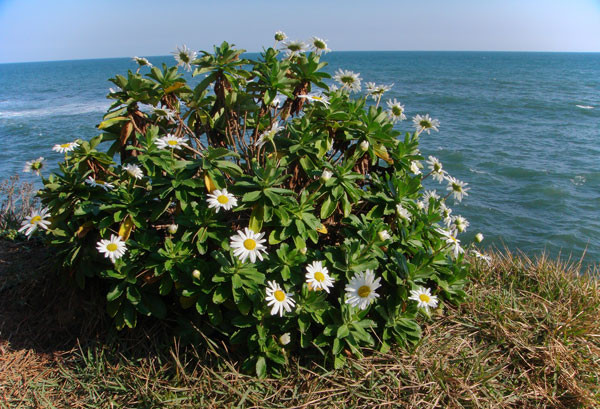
(527, 337)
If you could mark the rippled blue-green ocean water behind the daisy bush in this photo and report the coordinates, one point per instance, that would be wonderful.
(522, 129)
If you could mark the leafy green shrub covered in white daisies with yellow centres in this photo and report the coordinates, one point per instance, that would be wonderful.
(281, 211)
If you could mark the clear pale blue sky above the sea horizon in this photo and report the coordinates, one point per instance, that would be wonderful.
(39, 30)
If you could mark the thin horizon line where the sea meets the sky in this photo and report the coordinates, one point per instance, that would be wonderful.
(340, 51)
